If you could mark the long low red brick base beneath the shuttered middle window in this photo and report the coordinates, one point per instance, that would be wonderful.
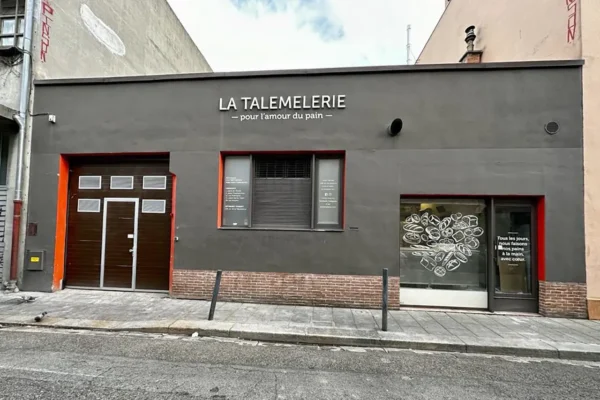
(357, 291)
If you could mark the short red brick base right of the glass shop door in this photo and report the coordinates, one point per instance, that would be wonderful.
(562, 299)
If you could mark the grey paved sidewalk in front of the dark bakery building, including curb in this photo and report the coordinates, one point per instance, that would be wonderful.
(531, 336)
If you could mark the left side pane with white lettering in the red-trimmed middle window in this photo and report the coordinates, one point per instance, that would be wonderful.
(236, 186)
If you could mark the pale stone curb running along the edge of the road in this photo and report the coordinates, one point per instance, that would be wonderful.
(329, 337)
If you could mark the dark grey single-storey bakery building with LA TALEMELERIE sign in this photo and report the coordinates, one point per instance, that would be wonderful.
(298, 185)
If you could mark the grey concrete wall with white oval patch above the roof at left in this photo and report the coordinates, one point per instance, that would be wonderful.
(112, 38)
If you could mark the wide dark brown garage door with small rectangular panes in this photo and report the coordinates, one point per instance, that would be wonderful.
(119, 223)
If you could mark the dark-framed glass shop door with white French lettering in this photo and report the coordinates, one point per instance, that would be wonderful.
(513, 278)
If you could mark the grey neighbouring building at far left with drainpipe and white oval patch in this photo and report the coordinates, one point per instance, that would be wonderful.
(75, 38)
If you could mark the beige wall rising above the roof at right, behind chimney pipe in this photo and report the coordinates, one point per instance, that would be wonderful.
(507, 30)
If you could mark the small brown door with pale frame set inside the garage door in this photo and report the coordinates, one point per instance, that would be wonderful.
(119, 243)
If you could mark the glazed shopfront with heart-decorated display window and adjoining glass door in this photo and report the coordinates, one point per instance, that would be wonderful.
(468, 253)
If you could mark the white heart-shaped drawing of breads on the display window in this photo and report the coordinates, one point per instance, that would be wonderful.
(443, 244)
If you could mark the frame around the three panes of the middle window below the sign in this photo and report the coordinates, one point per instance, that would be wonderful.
(314, 226)
